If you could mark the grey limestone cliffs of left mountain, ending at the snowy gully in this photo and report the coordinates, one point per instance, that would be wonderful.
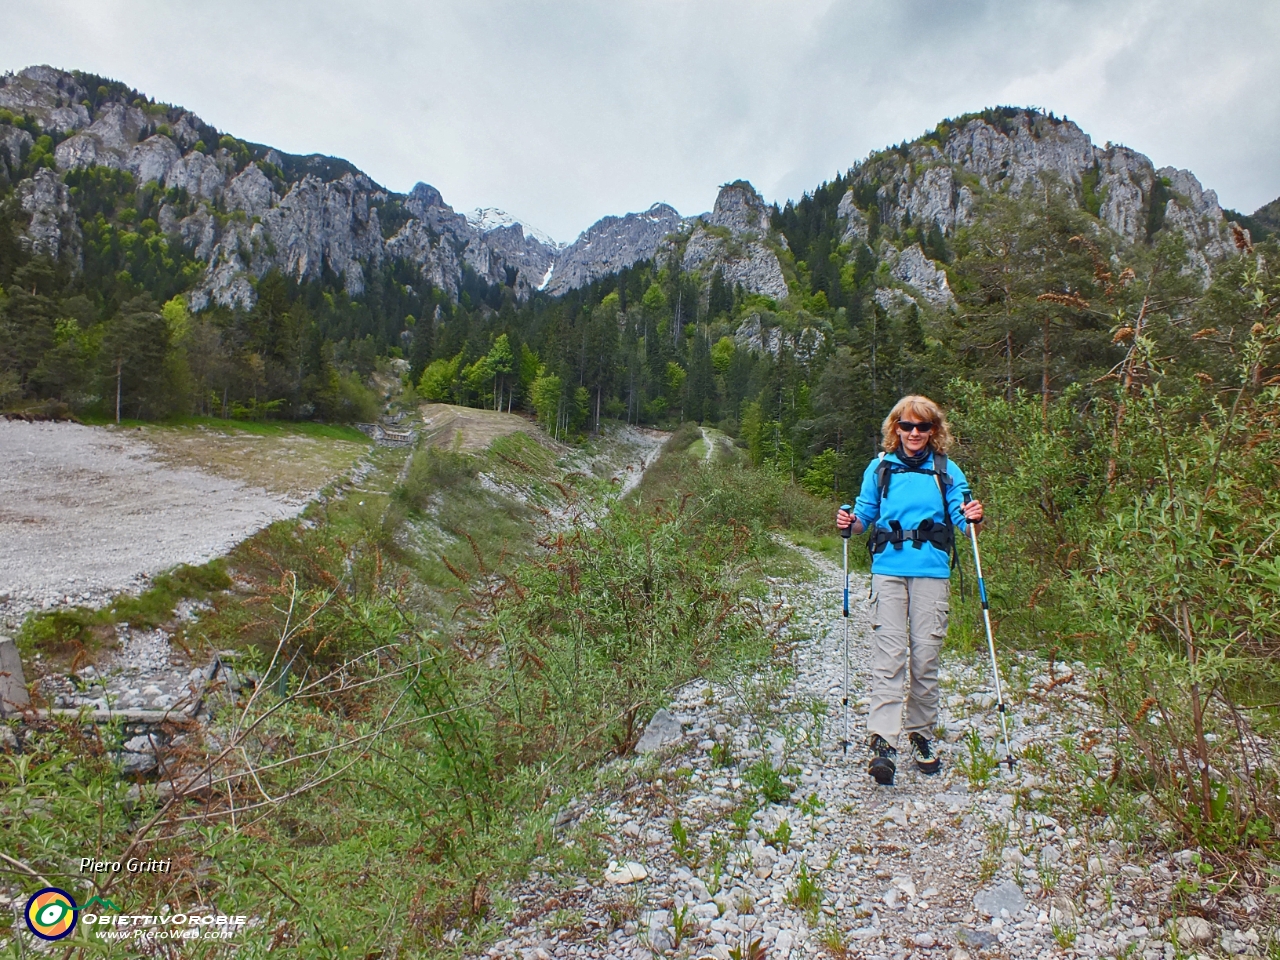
(257, 208)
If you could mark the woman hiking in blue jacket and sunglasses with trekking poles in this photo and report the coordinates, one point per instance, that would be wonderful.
(912, 501)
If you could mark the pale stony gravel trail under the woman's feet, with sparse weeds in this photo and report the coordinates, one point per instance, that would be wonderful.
(935, 867)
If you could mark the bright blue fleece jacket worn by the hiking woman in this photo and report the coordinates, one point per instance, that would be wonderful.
(912, 497)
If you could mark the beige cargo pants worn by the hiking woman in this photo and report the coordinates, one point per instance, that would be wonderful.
(909, 624)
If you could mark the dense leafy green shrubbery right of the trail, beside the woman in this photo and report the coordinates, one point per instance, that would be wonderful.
(1140, 533)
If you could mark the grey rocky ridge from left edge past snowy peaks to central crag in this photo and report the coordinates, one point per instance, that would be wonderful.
(258, 209)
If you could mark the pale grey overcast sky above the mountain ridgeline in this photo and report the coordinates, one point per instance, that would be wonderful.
(565, 112)
